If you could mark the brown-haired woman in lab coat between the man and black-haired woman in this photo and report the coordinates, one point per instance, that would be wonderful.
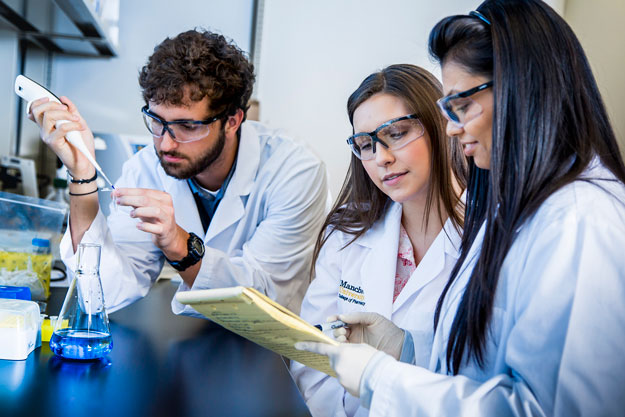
(391, 239)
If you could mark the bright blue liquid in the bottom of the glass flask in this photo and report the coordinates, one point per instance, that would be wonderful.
(81, 344)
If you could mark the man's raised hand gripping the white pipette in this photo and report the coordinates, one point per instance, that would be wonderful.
(46, 113)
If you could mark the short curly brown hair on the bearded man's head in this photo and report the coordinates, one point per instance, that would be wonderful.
(202, 63)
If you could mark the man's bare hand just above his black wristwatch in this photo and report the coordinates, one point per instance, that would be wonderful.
(155, 209)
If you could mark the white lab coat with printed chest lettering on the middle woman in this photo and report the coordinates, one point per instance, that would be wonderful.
(368, 267)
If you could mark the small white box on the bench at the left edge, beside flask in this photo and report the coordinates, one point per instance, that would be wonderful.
(20, 324)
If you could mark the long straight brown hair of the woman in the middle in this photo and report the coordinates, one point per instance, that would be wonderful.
(360, 202)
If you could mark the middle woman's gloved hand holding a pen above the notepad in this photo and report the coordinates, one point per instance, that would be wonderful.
(372, 329)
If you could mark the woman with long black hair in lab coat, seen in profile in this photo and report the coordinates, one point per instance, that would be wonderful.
(532, 320)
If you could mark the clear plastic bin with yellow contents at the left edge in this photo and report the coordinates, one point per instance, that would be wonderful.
(30, 231)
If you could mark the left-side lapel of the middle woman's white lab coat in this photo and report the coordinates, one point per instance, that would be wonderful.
(378, 269)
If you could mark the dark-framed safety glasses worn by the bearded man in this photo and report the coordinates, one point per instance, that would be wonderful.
(181, 131)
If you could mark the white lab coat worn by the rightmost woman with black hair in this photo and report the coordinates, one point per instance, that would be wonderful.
(557, 340)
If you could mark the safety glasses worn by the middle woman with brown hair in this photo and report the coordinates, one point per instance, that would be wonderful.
(393, 135)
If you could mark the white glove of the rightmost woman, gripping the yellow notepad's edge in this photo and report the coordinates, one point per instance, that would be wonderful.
(348, 361)
